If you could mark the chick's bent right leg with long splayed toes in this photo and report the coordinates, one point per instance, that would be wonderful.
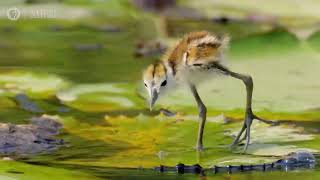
(249, 116)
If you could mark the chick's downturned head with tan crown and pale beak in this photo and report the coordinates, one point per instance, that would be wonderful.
(156, 81)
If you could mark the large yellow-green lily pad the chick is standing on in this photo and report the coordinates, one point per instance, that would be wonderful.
(145, 141)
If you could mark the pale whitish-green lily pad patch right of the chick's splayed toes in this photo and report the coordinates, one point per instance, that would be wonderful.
(275, 140)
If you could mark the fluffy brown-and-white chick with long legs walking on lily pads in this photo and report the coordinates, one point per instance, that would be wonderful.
(197, 56)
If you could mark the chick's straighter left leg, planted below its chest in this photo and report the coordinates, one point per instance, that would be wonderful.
(202, 115)
